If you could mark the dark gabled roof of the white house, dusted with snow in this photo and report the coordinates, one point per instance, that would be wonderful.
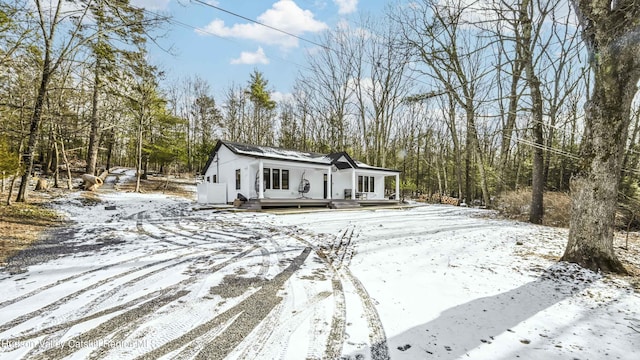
(273, 153)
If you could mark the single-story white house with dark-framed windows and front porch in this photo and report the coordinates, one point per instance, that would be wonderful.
(262, 172)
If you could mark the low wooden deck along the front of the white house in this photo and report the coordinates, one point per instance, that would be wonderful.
(259, 204)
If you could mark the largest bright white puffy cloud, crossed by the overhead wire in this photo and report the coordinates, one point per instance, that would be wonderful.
(284, 15)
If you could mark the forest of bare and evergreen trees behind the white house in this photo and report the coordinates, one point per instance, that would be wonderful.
(466, 99)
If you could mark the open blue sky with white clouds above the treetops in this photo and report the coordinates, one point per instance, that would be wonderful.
(226, 49)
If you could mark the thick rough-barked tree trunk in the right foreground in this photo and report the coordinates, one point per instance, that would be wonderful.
(611, 31)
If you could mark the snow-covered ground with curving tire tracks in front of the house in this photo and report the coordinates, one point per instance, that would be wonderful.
(151, 278)
